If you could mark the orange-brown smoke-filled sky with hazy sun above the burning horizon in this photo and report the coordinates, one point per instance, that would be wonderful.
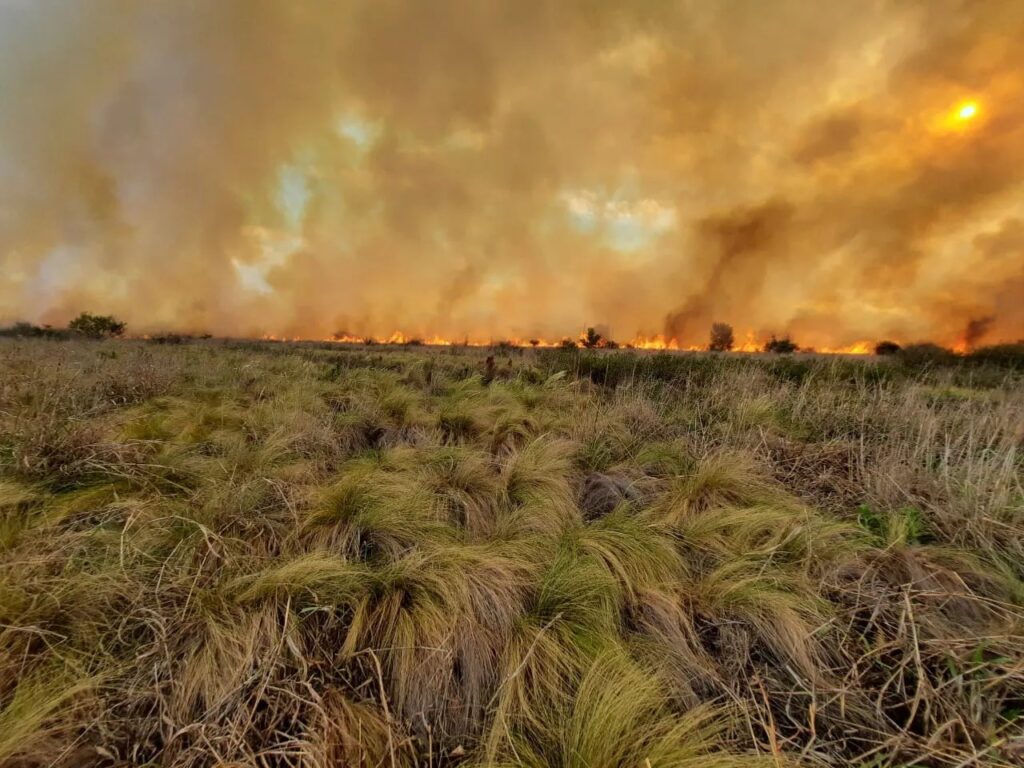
(838, 172)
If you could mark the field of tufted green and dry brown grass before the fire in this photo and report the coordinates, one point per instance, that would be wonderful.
(261, 554)
